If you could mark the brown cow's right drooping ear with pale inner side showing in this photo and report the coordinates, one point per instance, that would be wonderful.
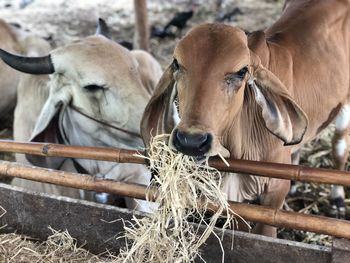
(282, 115)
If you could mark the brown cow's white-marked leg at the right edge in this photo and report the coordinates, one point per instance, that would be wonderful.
(340, 155)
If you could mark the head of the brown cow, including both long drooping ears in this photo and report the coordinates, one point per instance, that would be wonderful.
(213, 76)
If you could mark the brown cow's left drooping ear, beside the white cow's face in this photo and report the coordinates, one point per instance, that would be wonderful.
(158, 115)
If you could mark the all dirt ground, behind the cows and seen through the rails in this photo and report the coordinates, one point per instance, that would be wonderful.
(64, 21)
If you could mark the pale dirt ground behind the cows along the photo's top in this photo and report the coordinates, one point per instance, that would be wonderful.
(65, 21)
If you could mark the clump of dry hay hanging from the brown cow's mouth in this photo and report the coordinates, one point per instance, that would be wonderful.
(168, 235)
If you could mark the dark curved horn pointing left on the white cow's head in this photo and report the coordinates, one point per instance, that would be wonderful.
(31, 65)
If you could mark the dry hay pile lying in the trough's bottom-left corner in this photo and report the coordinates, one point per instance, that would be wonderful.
(59, 247)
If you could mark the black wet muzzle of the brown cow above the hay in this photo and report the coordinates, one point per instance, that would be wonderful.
(193, 144)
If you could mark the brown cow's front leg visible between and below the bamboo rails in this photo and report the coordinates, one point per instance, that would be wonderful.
(277, 191)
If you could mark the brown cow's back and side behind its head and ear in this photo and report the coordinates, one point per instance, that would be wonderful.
(314, 36)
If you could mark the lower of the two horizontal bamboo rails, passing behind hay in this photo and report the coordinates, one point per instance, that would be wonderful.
(255, 213)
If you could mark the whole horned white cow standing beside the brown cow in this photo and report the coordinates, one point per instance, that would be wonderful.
(97, 93)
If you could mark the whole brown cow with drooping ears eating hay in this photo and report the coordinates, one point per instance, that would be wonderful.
(258, 97)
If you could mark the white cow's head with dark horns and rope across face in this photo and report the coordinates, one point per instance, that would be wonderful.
(95, 85)
